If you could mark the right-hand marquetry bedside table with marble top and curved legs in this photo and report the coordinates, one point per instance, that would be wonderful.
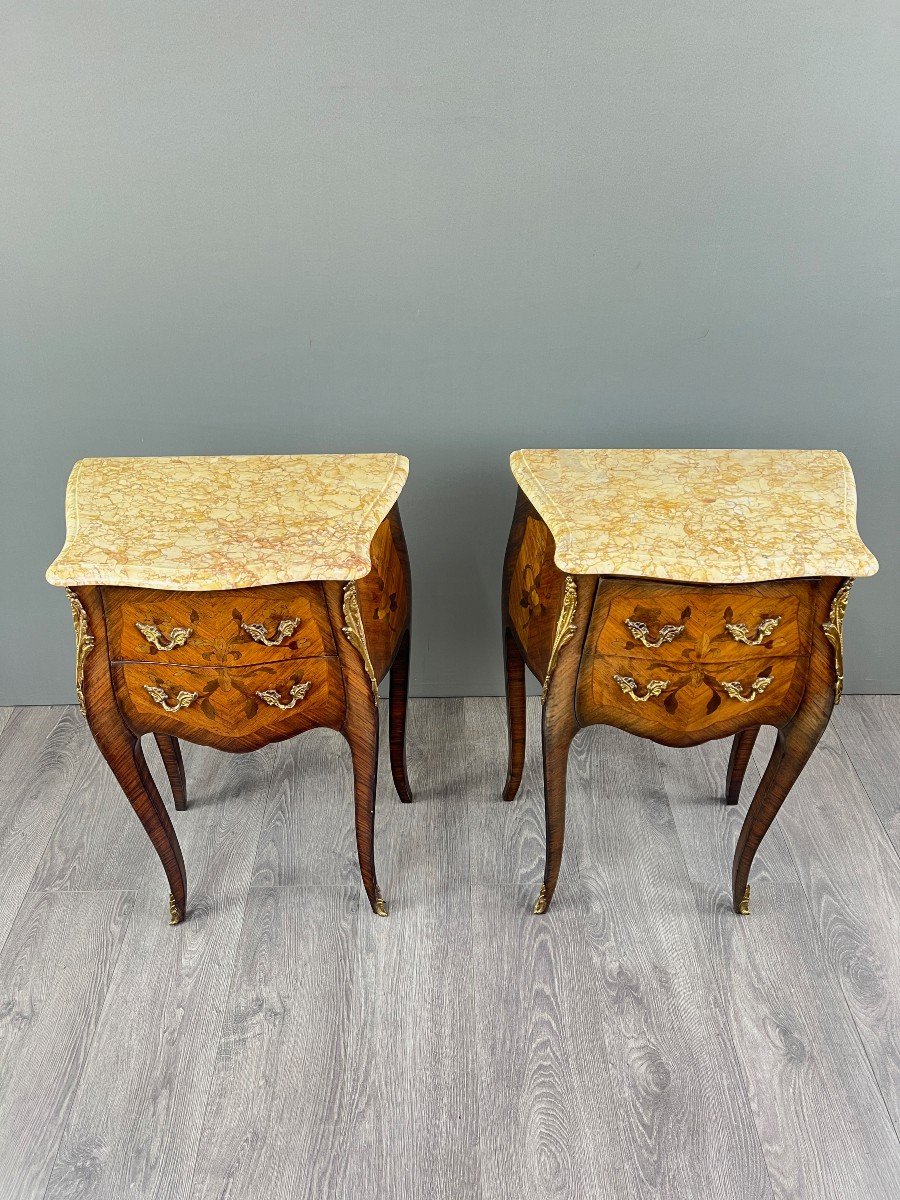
(681, 596)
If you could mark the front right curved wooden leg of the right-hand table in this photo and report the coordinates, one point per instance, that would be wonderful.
(794, 747)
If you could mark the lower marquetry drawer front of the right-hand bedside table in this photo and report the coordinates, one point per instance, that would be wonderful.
(689, 701)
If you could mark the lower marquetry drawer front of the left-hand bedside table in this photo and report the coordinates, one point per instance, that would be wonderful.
(233, 709)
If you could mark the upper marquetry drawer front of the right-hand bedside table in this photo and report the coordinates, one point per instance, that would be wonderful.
(701, 623)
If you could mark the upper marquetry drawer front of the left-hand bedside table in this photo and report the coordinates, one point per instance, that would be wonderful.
(267, 625)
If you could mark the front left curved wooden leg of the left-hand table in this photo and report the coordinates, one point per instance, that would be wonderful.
(123, 752)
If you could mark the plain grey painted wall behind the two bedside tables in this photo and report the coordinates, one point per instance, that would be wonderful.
(448, 230)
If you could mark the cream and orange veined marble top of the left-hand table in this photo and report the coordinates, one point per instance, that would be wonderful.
(221, 523)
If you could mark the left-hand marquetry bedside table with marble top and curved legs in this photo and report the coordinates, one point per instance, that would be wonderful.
(236, 602)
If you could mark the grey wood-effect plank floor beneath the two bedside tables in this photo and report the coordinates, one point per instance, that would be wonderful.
(639, 1041)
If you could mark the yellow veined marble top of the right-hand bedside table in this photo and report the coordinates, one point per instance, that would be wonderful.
(701, 517)
